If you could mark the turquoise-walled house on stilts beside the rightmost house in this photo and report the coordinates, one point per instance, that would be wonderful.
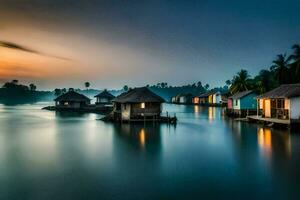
(242, 104)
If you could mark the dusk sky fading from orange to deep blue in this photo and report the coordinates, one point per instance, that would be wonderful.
(64, 43)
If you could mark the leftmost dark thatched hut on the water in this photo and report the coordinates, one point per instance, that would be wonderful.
(71, 100)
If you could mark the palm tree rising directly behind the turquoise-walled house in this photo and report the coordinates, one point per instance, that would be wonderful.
(240, 82)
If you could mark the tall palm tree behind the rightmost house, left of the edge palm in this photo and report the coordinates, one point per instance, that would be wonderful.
(280, 68)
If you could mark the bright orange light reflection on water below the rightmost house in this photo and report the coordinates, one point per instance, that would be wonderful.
(264, 137)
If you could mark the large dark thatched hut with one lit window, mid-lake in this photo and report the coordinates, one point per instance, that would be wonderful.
(137, 104)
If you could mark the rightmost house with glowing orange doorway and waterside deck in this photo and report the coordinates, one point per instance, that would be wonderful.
(281, 105)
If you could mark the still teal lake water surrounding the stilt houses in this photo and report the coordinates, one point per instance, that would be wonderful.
(48, 155)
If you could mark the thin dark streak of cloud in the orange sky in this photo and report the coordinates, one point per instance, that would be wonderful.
(18, 47)
